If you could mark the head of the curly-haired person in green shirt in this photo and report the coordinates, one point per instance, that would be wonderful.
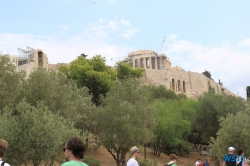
(74, 148)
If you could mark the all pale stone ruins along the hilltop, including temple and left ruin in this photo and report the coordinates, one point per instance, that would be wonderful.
(158, 71)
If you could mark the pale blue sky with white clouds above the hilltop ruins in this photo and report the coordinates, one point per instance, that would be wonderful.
(200, 35)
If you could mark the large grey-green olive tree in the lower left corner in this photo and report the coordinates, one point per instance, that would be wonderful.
(34, 135)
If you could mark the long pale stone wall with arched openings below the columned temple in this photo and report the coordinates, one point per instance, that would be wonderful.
(190, 83)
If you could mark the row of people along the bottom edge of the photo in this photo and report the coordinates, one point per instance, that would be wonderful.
(74, 151)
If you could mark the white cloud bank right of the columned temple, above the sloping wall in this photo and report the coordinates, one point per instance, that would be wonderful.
(226, 61)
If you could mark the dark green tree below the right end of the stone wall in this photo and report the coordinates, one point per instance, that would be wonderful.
(210, 108)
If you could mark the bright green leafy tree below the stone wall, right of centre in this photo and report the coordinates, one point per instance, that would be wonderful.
(174, 126)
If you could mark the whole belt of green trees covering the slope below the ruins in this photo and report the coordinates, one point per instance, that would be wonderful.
(92, 100)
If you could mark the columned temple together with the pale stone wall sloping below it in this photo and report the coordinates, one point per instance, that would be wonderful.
(158, 71)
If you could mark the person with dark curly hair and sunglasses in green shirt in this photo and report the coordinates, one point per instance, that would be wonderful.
(73, 152)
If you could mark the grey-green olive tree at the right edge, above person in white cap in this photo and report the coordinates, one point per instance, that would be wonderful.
(233, 131)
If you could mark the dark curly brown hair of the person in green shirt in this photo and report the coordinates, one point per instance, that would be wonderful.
(77, 147)
